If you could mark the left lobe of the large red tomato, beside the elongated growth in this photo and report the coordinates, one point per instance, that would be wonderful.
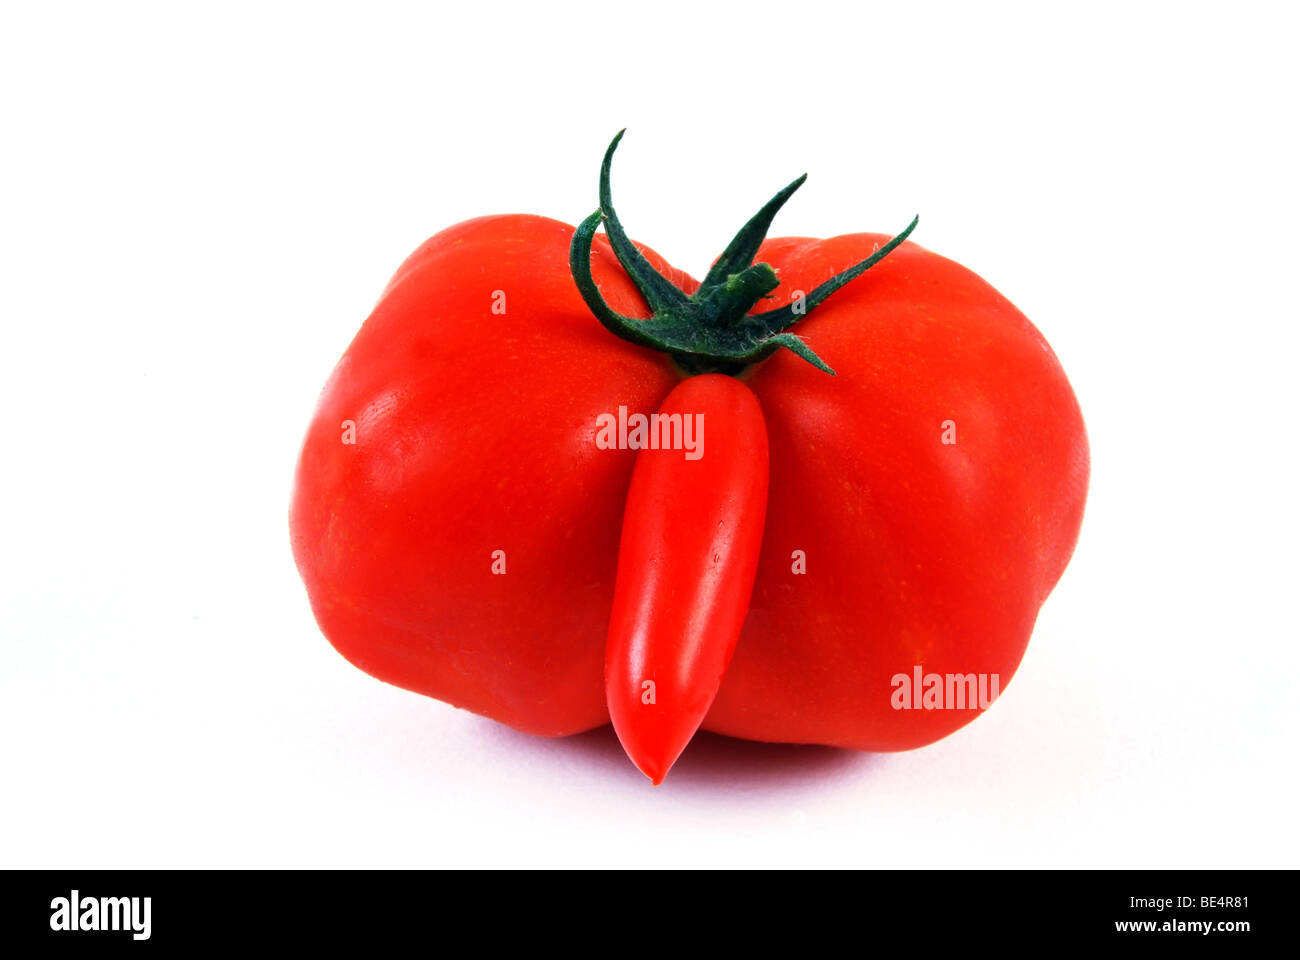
(475, 434)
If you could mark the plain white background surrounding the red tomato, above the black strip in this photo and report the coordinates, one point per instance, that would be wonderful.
(201, 204)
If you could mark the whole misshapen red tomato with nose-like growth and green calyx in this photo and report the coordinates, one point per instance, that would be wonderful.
(921, 504)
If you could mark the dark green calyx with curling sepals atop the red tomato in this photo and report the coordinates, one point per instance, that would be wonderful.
(712, 330)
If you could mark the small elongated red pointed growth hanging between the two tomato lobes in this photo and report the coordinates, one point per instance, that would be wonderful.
(692, 533)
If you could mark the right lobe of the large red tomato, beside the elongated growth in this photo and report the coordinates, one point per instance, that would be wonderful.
(918, 552)
